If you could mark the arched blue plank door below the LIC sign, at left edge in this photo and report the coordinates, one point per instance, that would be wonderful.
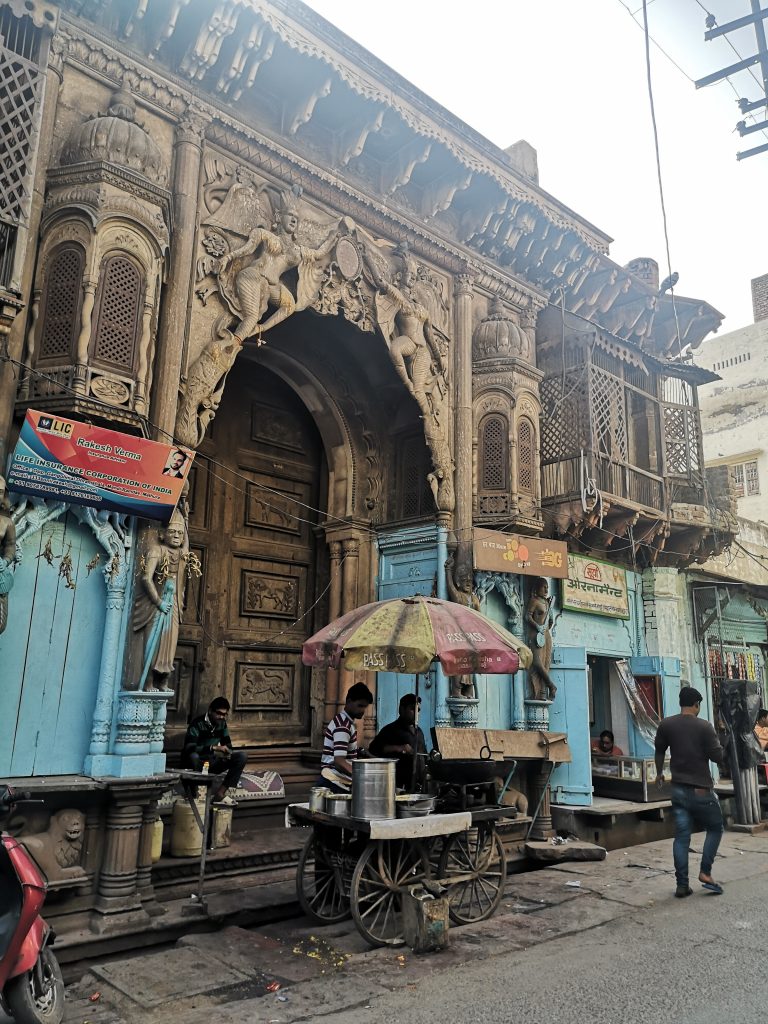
(51, 655)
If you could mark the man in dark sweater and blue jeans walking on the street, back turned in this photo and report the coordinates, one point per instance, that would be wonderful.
(693, 744)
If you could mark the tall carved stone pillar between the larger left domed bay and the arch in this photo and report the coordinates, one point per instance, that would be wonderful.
(172, 350)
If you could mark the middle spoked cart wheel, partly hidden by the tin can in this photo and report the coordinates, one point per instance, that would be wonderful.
(387, 869)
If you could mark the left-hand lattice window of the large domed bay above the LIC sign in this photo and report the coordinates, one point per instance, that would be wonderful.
(62, 303)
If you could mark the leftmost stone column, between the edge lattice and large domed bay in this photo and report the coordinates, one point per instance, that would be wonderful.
(9, 373)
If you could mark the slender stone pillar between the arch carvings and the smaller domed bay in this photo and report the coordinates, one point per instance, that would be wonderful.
(463, 452)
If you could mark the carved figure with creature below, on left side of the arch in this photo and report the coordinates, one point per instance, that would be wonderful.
(250, 281)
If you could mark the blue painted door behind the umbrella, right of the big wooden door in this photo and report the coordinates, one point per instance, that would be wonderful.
(405, 570)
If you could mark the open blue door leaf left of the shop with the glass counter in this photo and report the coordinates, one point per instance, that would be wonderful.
(570, 713)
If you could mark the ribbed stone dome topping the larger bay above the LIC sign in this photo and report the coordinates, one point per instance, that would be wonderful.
(117, 139)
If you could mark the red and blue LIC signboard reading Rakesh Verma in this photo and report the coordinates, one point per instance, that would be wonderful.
(75, 462)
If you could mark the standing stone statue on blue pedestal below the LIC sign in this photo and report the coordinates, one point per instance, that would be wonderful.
(166, 561)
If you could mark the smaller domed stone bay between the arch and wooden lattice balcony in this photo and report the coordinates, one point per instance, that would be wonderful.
(506, 415)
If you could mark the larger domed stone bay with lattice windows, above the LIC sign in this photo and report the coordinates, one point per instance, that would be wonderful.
(102, 259)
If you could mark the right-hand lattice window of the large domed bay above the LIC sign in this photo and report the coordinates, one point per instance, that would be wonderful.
(118, 320)
